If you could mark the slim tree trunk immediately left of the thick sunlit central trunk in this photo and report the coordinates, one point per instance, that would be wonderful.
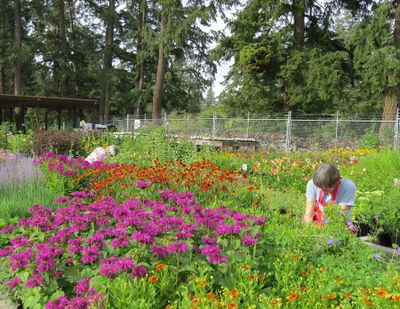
(140, 47)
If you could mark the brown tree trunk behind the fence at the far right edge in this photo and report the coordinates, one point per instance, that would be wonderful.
(391, 94)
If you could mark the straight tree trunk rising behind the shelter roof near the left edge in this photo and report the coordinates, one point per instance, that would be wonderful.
(18, 62)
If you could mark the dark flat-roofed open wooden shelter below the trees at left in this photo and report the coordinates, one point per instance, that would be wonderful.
(9, 102)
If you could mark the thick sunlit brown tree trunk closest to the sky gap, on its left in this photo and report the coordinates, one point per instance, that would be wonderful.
(161, 68)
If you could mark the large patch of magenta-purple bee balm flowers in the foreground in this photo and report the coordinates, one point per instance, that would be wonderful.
(83, 233)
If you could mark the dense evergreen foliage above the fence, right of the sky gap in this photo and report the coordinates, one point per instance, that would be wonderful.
(348, 68)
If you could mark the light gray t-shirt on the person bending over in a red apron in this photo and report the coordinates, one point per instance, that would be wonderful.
(346, 194)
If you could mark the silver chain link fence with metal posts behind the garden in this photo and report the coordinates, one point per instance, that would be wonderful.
(285, 132)
